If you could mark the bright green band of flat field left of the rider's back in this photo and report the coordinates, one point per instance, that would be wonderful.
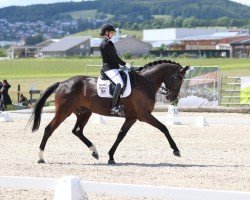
(32, 68)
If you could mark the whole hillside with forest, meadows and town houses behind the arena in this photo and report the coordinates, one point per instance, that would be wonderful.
(60, 19)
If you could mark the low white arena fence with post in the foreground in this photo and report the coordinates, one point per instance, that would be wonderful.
(71, 188)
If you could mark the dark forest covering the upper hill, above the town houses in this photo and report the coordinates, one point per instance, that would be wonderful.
(138, 14)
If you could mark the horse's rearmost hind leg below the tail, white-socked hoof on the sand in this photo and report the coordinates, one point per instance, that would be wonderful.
(55, 122)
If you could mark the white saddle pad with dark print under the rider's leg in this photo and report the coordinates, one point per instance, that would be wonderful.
(103, 88)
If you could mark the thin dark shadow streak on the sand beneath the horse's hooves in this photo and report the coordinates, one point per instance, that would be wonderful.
(151, 165)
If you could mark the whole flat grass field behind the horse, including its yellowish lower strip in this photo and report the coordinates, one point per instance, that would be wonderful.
(41, 73)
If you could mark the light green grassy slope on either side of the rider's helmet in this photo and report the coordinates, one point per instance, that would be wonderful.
(96, 32)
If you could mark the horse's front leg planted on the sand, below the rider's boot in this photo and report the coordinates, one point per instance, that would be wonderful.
(125, 128)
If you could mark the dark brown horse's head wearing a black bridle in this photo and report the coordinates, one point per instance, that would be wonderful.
(173, 83)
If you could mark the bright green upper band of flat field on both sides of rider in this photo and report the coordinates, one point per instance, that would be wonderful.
(66, 67)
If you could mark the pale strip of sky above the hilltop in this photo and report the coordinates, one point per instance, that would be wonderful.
(5, 3)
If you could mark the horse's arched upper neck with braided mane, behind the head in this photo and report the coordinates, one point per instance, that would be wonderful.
(157, 75)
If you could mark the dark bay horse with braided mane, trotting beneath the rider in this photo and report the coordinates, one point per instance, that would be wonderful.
(78, 95)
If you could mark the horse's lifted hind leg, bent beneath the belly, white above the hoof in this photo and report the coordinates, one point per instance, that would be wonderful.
(82, 120)
